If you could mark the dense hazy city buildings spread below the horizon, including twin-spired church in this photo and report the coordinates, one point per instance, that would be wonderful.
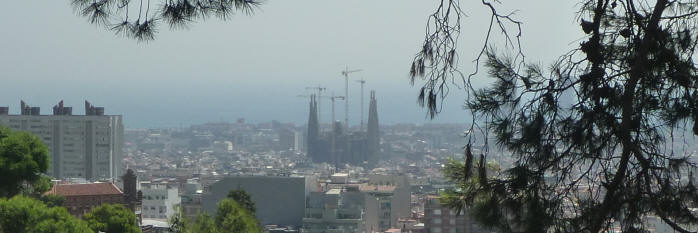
(190, 169)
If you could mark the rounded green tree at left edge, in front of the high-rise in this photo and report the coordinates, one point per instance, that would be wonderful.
(23, 159)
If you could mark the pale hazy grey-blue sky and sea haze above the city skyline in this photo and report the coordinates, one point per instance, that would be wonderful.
(250, 66)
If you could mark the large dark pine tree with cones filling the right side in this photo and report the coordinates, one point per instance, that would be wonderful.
(593, 137)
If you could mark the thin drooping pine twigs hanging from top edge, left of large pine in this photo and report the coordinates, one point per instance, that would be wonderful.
(436, 63)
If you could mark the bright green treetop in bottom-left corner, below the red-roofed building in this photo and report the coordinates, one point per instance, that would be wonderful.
(24, 214)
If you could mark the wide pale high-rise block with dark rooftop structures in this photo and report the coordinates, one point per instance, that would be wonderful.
(80, 146)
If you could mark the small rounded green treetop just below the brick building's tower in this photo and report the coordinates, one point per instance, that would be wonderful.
(112, 218)
